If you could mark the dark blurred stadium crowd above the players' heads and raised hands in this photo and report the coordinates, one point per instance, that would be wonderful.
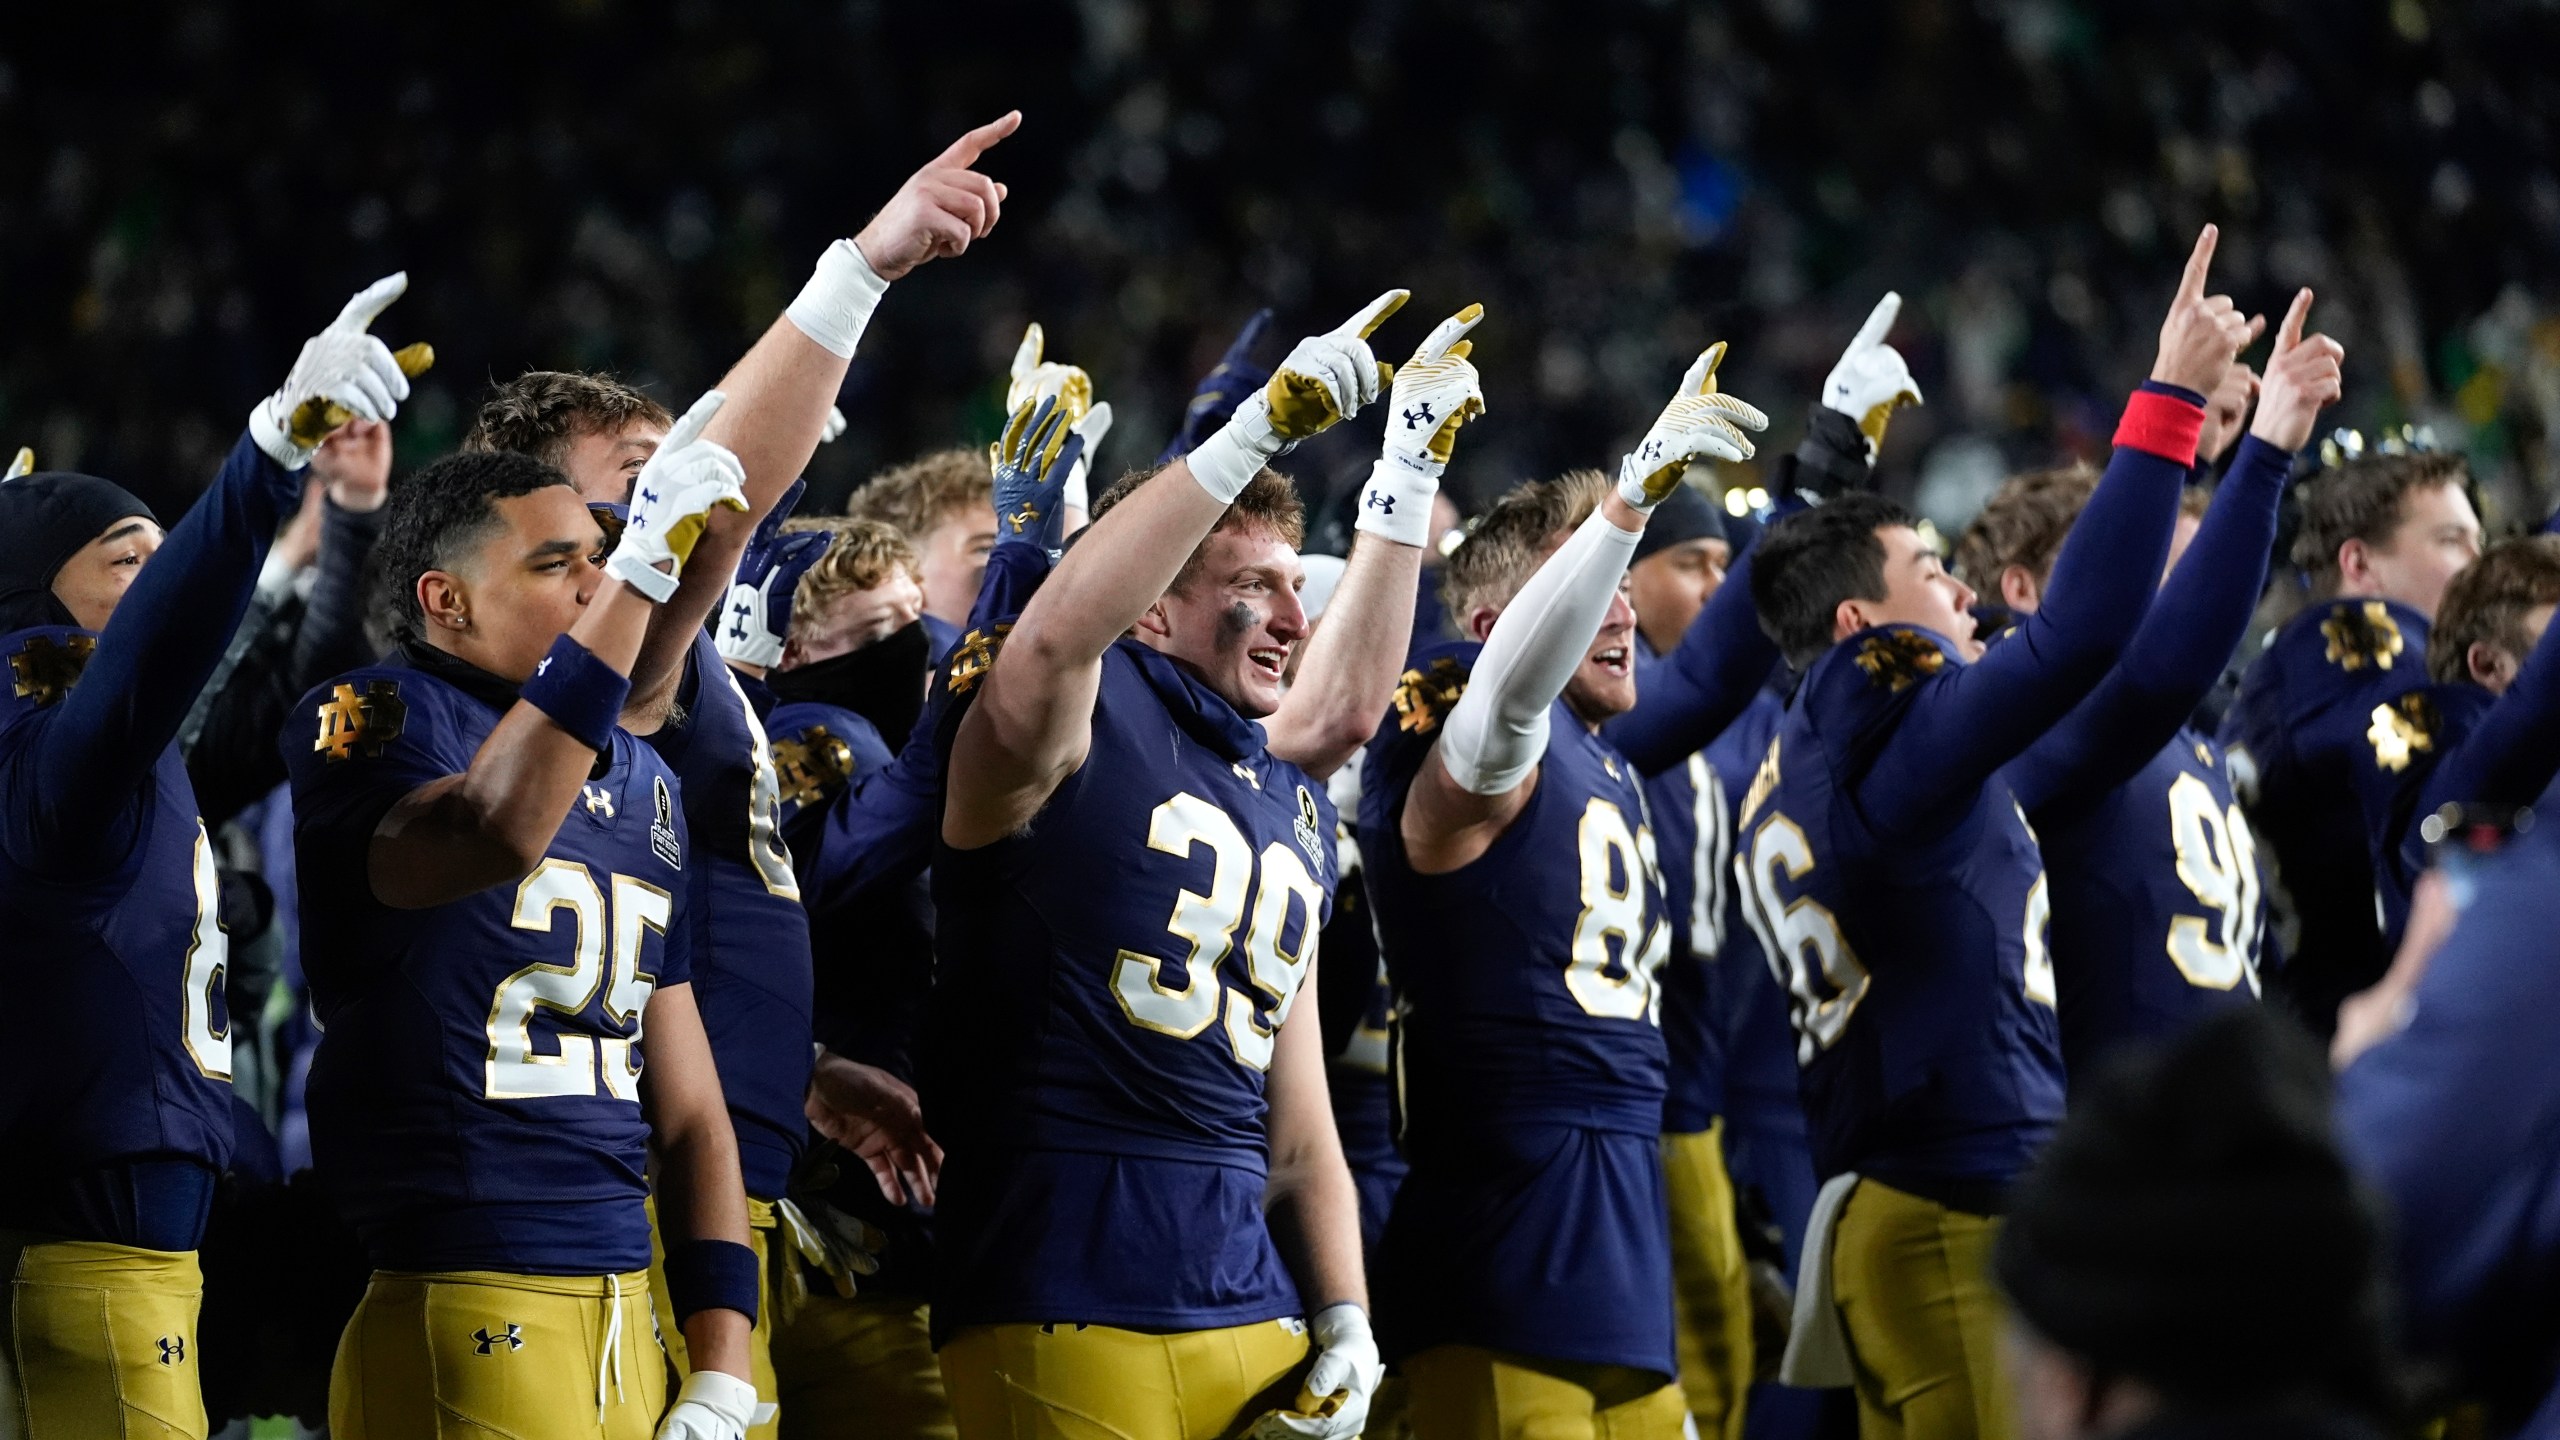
(639, 188)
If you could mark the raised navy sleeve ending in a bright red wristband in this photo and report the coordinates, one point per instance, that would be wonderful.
(1967, 724)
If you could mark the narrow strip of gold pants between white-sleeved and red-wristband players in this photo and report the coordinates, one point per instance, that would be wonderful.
(1711, 1282)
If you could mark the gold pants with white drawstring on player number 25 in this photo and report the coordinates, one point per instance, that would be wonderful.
(480, 1354)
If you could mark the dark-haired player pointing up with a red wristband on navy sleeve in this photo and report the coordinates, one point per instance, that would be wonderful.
(1898, 885)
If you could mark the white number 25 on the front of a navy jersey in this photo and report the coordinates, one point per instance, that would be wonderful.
(516, 1070)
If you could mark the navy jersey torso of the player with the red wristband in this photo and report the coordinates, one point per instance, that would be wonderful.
(1924, 990)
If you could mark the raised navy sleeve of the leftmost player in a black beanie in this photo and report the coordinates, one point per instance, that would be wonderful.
(165, 642)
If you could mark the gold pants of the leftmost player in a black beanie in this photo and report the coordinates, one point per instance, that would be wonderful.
(99, 1341)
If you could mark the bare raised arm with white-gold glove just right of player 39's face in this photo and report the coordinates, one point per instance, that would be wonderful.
(1353, 662)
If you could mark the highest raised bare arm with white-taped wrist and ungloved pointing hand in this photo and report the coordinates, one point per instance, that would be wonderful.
(787, 383)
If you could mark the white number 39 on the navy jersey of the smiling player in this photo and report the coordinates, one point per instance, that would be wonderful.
(1210, 924)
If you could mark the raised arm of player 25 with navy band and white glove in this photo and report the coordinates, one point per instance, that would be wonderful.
(493, 824)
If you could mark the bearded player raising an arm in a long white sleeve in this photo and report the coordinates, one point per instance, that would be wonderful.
(1524, 924)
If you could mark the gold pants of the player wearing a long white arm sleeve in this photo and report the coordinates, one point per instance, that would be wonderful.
(1466, 1393)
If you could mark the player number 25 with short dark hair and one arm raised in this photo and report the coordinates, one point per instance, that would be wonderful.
(493, 908)
